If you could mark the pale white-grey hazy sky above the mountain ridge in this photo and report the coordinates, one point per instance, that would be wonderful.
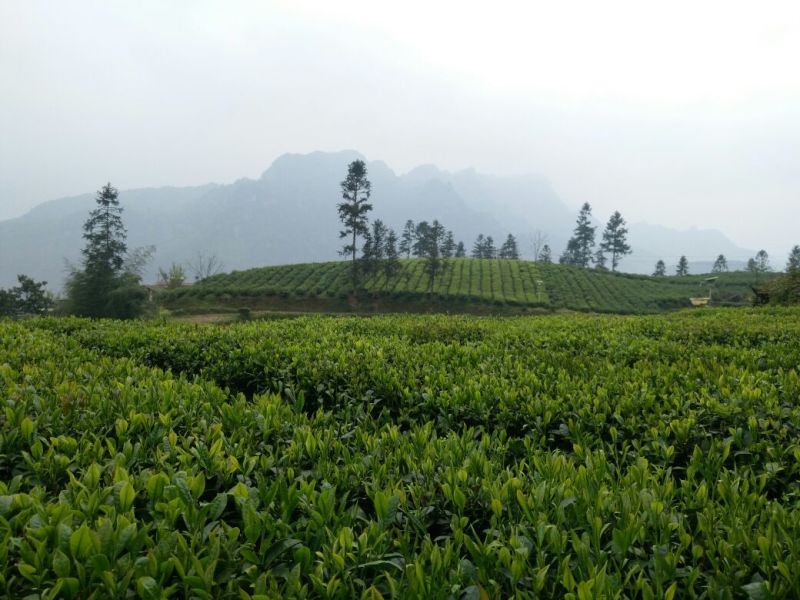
(679, 113)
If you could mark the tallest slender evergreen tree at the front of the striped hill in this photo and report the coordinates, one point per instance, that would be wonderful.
(356, 190)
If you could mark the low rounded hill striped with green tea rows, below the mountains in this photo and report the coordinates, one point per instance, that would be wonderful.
(467, 284)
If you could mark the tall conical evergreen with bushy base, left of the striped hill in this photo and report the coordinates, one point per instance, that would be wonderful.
(103, 287)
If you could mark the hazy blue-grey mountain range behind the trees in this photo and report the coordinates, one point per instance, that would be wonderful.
(289, 215)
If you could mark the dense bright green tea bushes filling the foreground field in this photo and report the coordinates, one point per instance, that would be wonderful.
(403, 457)
